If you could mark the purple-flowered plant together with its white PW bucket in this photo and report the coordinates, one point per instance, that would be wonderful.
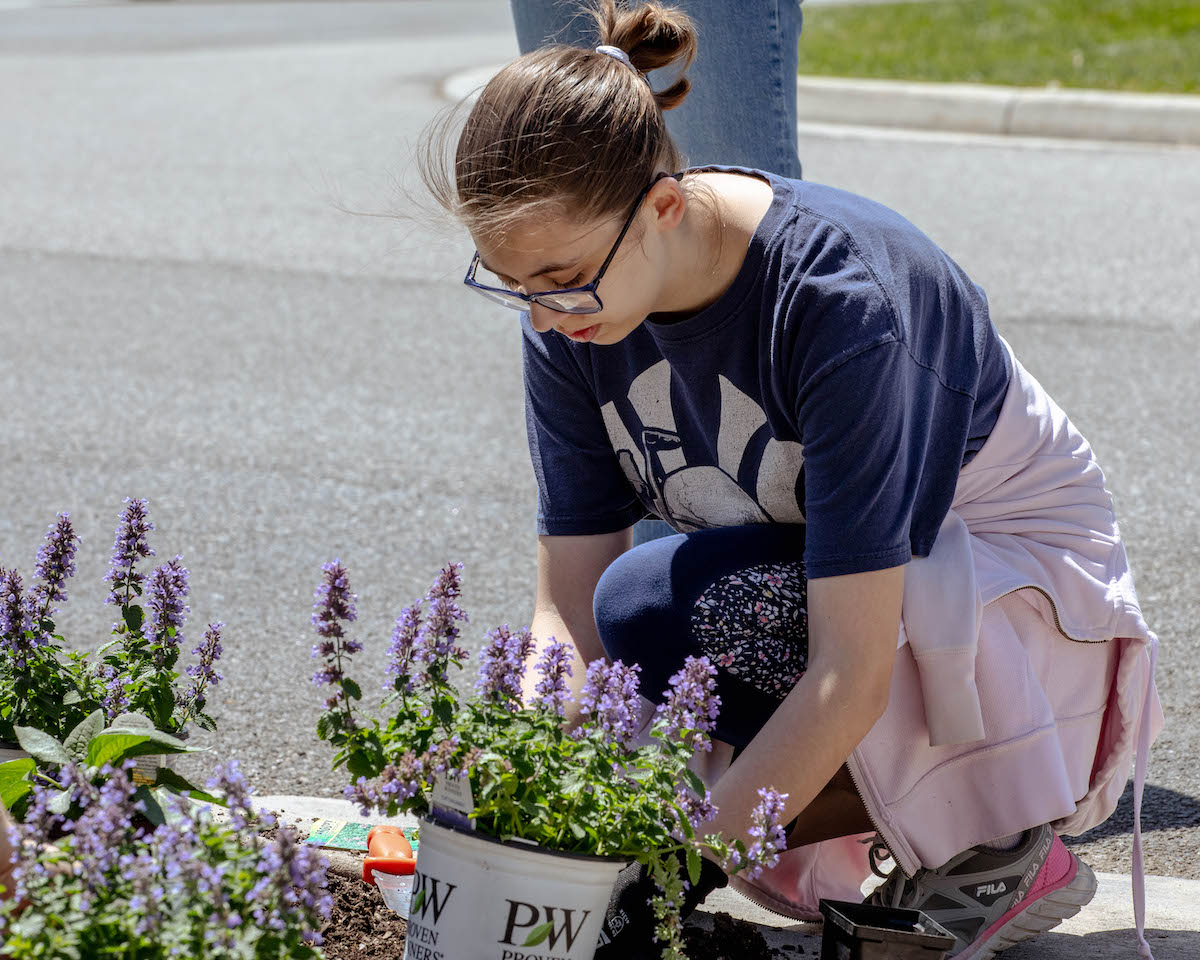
(527, 823)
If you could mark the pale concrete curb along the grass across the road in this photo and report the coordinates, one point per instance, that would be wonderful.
(971, 109)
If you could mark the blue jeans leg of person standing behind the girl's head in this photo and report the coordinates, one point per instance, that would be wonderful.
(742, 106)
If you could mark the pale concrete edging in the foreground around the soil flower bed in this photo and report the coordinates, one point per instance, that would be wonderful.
(1105, 929)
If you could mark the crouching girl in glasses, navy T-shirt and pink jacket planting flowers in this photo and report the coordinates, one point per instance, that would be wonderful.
(896, 549)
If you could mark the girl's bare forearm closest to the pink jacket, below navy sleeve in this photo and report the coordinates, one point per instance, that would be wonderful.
(854, 628)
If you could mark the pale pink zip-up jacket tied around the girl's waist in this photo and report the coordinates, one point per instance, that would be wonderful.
(1024, 681)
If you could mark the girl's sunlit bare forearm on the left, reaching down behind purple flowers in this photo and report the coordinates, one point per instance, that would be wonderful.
(568, 572)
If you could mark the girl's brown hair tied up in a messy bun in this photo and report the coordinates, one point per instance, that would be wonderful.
(567, 131)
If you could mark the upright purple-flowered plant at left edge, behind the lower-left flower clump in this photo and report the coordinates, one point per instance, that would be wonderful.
(46, 688)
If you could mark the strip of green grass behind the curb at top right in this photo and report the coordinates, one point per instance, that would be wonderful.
(1109, 45)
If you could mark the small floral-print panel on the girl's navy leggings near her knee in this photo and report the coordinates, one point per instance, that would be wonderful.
(754, 626)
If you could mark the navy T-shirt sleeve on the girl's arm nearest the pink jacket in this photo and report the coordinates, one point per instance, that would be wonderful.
(875, 457)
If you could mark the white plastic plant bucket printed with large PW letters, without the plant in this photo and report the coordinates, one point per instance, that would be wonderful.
(475, 897)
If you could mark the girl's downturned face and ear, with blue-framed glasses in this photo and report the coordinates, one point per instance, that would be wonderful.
(559, 254)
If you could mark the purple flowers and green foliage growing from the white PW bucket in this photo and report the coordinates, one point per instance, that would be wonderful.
(598, 789)
